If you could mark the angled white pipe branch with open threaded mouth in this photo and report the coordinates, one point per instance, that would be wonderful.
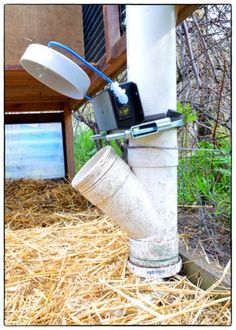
(108, 182)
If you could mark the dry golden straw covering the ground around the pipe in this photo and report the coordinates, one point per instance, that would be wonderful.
(66, 264)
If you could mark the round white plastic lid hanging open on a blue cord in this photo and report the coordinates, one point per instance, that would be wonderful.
(55, 70)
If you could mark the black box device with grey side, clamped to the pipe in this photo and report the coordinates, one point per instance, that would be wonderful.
(112, 115)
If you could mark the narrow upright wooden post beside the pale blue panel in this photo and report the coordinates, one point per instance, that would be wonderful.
(69, 147)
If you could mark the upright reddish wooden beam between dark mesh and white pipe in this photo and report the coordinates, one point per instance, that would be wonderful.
(111, 29)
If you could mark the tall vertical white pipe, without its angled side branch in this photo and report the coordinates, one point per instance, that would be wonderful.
(151, 64)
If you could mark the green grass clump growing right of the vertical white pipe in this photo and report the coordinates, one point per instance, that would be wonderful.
(205, 177)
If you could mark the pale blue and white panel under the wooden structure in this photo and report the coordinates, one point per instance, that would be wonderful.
(34, 151)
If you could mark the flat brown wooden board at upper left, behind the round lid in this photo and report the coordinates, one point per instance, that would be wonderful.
(26, 24)
